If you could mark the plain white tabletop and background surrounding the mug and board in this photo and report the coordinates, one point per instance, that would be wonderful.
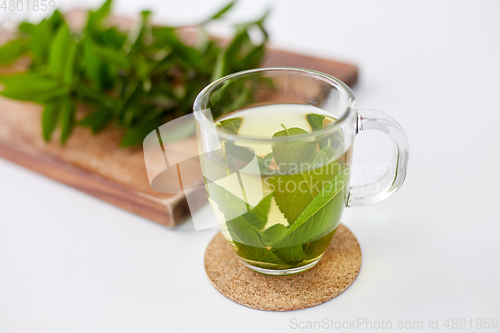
(70, 263)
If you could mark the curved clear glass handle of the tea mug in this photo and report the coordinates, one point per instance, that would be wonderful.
(379, 190)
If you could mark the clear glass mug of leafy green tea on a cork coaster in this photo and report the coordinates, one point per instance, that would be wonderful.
(275, 149)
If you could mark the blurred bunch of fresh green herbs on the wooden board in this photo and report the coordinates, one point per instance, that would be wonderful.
(135, 80)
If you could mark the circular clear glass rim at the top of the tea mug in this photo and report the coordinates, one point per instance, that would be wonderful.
(201, 101)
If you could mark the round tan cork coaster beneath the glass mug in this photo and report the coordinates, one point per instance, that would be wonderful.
(333, 274)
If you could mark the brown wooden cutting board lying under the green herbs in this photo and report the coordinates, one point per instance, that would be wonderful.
(95, 164)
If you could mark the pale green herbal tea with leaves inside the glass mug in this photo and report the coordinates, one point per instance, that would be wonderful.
(282, 213)
